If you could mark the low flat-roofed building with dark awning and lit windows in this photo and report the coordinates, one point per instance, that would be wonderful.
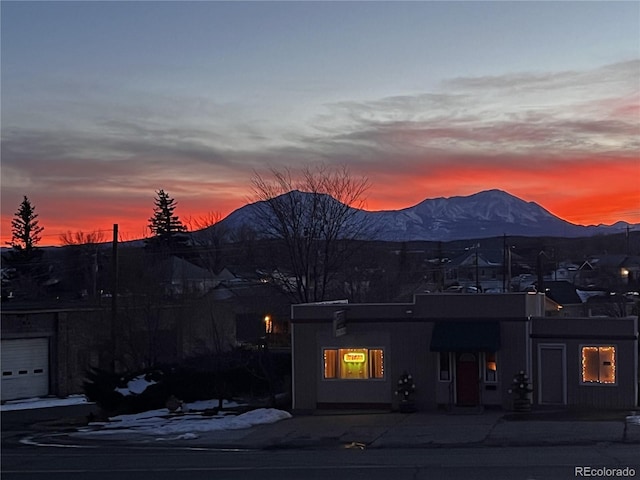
(462, 350)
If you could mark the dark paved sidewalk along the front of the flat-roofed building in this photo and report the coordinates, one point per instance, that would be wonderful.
(397, 430)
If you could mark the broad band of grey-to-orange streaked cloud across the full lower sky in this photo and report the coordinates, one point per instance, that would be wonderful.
(521, 132)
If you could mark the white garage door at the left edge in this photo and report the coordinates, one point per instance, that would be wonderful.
(25, 368)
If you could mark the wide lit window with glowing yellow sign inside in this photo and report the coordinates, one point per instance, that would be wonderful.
(353, 363)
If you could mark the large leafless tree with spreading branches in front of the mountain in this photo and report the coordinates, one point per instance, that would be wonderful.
(315, 213)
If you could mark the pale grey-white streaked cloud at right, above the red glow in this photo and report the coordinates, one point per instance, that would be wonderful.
(548, 114)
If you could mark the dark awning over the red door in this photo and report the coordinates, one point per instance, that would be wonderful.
(465, 336)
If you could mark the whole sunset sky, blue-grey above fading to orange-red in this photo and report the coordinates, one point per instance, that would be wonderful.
(103, 103)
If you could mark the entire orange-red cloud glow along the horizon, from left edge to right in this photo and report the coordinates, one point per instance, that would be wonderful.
(582, 190)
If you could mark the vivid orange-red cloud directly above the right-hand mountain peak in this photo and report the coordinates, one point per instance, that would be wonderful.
(582, 190)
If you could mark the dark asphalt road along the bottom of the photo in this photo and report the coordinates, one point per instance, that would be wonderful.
(21, 462)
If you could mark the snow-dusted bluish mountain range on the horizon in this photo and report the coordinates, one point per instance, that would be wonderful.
(485, 214)
